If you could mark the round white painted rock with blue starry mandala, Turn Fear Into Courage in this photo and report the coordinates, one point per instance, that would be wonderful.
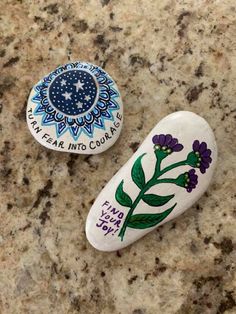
(77, 108)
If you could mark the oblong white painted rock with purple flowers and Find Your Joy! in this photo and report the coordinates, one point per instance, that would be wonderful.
(168, 173)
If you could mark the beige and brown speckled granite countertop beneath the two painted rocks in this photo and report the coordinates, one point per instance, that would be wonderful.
(165, 56)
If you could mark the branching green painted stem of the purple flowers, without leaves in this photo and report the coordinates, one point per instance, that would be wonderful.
(153, 181)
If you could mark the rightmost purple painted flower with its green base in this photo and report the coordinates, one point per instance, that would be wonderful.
(200, 157)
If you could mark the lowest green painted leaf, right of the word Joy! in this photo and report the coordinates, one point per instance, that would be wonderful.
(144, 221)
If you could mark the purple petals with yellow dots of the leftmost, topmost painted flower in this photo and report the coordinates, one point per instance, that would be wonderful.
(166, 143)
